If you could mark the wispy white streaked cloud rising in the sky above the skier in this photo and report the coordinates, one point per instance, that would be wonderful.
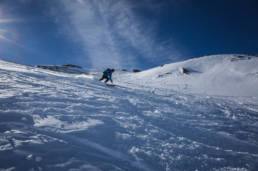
(113, 35)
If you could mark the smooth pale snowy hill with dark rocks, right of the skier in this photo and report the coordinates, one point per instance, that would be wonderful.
(227, 75)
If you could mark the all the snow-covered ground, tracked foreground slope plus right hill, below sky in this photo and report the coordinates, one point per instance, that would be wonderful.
(201, 114)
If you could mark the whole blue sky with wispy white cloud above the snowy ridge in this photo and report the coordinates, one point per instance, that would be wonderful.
(125, 33)
